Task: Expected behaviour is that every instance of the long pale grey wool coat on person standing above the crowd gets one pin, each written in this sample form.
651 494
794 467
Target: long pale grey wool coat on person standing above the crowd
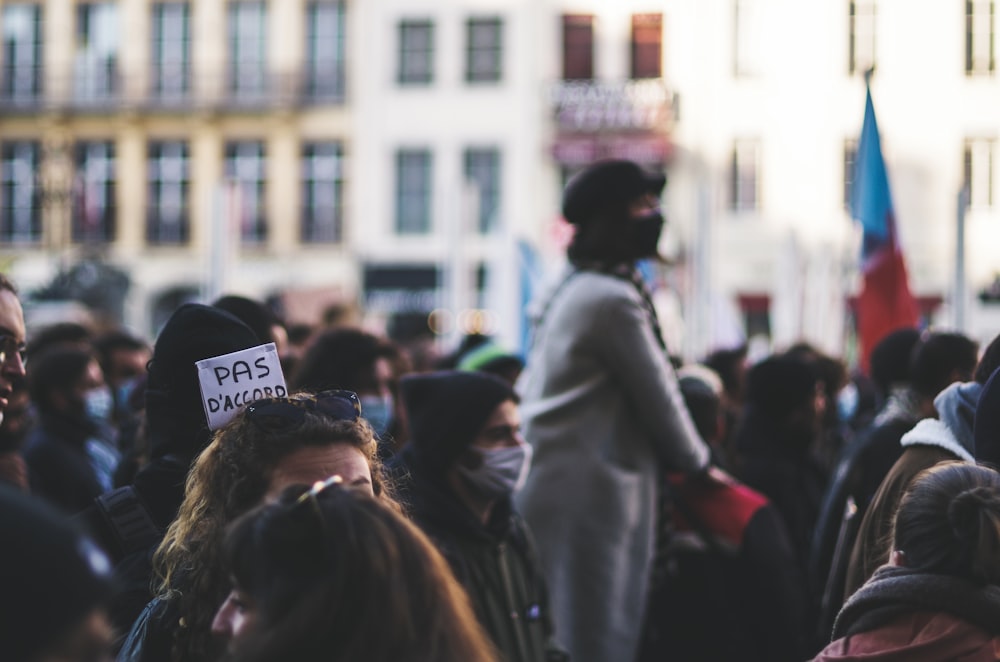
603 412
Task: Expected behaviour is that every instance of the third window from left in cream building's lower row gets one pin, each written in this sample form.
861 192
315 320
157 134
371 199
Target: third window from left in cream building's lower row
168 207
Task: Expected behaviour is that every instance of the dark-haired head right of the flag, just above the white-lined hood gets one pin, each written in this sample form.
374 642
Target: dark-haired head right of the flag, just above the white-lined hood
941 359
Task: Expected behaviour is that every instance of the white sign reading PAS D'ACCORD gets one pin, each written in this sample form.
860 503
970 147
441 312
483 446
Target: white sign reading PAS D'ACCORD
232 381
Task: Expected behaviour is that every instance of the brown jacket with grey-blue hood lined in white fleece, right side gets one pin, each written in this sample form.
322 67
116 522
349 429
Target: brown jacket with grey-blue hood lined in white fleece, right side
931 441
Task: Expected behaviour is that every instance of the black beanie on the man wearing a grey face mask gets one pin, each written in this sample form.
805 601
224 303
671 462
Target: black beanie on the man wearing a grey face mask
446 410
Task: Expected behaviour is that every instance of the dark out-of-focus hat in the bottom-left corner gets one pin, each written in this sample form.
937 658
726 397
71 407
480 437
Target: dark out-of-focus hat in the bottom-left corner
51 576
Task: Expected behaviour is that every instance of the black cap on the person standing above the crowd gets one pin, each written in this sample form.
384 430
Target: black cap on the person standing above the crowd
607 184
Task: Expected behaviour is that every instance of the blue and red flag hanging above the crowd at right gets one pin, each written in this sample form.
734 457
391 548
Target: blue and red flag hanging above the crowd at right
885 303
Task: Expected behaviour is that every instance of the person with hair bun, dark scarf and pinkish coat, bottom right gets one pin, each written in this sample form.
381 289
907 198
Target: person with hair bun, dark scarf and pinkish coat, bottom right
939 596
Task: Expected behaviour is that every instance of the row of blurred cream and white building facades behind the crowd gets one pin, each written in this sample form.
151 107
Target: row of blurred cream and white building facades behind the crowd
406 153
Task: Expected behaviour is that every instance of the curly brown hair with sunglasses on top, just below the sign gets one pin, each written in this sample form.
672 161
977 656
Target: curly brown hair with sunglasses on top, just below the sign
230 477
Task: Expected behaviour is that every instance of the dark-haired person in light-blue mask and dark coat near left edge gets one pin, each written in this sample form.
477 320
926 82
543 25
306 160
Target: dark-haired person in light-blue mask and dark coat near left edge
70 462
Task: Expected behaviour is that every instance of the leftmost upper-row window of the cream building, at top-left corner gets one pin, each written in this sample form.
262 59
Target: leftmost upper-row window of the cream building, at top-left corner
22 52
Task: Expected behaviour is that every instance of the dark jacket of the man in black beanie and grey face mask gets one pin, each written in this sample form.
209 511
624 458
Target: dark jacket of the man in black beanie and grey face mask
495 562
